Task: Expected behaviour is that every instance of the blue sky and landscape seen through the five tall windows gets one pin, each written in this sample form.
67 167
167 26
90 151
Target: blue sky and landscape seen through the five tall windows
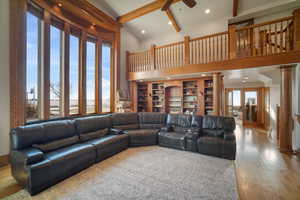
32 71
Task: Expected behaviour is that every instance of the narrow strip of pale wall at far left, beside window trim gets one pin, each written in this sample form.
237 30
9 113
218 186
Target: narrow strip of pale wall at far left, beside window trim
4 78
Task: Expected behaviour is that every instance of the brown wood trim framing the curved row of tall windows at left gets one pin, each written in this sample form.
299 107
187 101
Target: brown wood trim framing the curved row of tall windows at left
60 18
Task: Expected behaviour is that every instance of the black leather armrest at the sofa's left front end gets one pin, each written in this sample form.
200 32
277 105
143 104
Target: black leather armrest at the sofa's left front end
27 156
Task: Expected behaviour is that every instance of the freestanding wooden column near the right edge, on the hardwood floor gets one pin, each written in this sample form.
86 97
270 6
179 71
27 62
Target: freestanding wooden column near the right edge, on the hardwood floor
285 126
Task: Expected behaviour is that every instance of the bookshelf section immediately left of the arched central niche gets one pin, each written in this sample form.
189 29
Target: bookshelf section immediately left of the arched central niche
158 97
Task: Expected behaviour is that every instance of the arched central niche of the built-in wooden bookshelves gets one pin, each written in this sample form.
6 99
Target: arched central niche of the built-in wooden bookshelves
173 100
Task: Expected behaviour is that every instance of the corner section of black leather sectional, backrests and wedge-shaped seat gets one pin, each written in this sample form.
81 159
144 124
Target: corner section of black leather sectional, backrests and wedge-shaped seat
142 128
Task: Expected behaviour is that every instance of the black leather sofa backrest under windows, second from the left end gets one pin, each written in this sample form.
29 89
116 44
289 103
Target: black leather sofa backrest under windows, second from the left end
93 127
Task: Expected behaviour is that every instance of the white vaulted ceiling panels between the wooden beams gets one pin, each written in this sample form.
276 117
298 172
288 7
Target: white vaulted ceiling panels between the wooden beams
155 23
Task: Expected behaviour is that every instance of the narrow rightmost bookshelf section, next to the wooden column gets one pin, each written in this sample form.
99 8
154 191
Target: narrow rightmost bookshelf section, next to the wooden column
208 97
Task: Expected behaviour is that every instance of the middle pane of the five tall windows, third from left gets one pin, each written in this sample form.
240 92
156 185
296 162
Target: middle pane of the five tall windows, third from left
74 75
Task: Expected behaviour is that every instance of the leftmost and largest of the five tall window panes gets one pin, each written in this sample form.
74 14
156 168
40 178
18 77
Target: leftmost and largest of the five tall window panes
32 68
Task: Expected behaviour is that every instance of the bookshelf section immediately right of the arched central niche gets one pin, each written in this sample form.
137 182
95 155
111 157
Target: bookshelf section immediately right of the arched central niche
190 97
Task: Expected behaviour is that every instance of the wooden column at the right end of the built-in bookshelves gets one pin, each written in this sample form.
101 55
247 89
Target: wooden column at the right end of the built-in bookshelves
217 93
